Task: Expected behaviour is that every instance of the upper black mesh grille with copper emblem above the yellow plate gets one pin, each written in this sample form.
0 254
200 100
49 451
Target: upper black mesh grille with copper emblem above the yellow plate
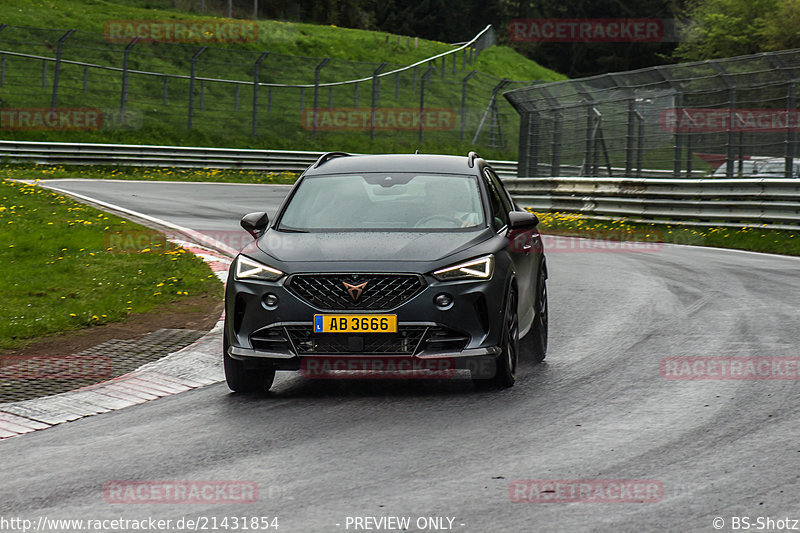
351 292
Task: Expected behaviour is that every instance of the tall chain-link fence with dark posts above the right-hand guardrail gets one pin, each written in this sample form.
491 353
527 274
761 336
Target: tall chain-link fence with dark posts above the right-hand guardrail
731 117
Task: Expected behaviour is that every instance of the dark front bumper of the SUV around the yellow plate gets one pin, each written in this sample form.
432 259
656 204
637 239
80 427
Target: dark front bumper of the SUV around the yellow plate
282 335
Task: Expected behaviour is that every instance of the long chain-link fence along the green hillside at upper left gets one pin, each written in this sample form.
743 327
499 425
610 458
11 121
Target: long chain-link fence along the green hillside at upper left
282 100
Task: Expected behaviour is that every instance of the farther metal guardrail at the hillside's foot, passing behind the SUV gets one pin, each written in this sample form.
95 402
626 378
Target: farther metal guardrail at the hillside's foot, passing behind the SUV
52 153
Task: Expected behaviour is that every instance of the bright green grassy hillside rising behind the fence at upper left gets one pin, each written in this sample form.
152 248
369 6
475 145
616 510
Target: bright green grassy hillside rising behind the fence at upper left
157 106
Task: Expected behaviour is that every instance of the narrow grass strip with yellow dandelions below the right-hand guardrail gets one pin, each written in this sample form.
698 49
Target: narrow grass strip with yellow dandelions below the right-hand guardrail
744 238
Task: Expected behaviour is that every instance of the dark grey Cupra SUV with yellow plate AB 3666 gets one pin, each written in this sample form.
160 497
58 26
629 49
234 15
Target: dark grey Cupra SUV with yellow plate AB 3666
412 263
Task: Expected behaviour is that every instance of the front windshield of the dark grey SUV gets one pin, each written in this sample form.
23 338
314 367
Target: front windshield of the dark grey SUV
384 201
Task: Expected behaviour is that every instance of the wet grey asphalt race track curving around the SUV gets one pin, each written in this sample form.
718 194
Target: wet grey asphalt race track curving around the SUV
321 451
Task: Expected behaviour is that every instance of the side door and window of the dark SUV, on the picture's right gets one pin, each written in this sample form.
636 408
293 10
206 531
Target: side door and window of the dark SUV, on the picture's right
523 246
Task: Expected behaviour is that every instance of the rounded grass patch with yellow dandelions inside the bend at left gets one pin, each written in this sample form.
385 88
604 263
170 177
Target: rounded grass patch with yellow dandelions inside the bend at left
58 272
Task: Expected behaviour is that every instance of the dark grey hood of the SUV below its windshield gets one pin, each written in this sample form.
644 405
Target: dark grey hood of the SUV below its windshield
368 246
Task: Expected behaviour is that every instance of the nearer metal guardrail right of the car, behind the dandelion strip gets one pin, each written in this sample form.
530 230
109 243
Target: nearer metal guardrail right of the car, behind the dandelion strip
763 202
